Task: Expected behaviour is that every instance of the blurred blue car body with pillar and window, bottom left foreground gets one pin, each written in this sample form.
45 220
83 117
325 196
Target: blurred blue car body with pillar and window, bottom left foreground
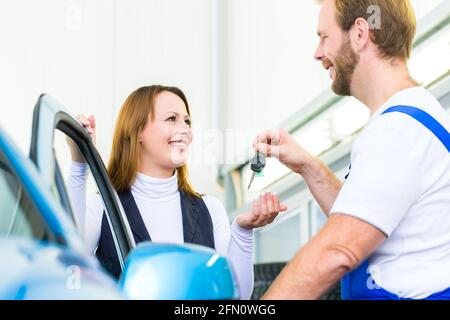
41 254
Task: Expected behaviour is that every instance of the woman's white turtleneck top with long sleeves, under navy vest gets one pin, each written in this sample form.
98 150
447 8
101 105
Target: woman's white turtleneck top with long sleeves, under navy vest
158 201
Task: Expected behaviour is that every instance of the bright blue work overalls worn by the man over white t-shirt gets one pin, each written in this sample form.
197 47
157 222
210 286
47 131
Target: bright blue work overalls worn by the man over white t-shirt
359 284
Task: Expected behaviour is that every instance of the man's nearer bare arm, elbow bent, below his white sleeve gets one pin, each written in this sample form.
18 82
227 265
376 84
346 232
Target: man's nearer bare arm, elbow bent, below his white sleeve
338 248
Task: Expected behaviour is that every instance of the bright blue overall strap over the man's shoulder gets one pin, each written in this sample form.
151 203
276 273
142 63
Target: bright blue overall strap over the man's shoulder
427 120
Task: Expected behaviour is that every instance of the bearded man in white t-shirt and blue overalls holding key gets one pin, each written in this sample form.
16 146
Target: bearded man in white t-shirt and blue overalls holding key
388 228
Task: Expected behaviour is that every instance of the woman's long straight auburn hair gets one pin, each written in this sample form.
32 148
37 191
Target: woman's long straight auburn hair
125 153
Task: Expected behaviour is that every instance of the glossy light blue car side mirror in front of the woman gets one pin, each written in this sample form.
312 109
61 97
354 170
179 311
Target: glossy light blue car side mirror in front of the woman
155 271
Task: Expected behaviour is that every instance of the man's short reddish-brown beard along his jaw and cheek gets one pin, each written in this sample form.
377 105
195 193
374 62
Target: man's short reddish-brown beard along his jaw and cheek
344 67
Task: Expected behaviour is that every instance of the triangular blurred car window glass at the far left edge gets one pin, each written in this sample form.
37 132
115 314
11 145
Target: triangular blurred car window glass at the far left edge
19 216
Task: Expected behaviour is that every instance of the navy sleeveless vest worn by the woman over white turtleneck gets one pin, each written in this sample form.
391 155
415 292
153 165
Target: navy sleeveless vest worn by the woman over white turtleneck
197 228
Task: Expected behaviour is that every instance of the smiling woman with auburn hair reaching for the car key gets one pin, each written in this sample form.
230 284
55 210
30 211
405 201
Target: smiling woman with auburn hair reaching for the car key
147 167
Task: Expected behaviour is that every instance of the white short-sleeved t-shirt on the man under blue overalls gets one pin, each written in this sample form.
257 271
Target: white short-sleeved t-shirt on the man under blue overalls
399 182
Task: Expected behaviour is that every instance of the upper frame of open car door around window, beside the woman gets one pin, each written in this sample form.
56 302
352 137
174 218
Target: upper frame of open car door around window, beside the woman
49 117
